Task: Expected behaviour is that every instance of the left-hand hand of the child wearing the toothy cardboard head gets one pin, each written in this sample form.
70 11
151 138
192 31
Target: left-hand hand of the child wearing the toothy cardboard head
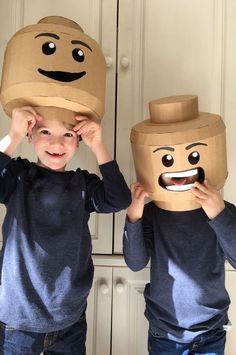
135 210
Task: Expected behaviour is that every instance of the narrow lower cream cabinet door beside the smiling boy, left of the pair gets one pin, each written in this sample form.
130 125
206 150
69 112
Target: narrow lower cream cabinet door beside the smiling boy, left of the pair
99 313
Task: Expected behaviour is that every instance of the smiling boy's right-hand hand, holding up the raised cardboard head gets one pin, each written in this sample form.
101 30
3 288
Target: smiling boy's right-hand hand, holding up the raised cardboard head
90 131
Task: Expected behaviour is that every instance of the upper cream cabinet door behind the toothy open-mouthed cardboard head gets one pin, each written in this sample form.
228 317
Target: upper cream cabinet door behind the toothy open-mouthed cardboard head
166 48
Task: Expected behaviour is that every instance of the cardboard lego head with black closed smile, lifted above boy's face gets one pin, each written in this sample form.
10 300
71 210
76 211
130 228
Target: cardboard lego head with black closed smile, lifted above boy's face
54 63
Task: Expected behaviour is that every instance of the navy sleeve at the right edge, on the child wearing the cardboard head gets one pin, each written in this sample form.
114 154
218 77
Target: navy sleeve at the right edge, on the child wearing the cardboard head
224 226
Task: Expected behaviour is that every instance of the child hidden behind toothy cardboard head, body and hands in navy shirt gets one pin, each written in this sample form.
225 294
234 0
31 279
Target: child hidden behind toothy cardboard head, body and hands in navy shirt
186 300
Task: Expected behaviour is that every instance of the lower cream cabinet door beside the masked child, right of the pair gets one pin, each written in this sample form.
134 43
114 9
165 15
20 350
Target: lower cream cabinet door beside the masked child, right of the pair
129 325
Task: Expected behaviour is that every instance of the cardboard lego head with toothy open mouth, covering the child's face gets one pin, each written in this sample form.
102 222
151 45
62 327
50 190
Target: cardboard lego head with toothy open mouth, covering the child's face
176 147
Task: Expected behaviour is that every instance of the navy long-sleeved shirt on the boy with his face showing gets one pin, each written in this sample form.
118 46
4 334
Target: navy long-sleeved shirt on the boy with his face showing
46 264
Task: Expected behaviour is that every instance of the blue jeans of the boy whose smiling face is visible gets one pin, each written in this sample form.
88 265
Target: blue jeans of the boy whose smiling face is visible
68 341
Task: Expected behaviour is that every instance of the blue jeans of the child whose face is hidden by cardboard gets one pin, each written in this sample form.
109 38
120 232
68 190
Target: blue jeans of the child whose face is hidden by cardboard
210 343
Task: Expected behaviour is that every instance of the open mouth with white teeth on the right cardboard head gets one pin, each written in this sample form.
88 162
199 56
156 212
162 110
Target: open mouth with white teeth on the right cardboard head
182 180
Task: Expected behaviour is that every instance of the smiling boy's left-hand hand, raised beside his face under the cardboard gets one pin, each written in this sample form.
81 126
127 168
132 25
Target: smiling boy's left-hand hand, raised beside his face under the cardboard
23 120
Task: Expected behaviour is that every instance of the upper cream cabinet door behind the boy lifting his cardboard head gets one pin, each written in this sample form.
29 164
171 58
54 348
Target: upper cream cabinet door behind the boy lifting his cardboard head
98 19
